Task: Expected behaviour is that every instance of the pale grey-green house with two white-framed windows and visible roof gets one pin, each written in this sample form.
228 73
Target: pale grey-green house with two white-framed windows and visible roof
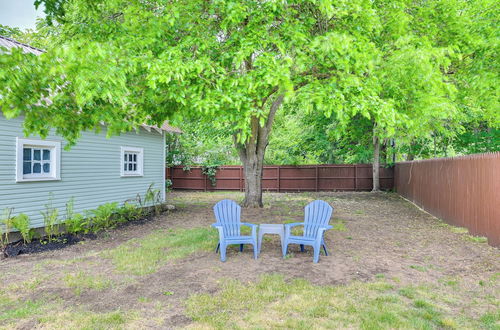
95 171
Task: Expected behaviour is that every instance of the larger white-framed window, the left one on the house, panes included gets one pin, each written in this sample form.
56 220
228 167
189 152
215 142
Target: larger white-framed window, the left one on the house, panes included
37 160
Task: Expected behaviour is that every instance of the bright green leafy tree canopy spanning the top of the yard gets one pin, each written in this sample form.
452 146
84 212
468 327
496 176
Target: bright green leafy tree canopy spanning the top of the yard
411 69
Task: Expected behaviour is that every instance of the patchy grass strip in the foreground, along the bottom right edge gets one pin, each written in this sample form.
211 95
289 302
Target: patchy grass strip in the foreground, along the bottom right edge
273 302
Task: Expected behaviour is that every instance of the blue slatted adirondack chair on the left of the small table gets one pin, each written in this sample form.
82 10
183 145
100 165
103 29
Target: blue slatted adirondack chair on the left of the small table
227 213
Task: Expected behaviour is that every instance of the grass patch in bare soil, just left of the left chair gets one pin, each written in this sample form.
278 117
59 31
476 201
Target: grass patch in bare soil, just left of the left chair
145 255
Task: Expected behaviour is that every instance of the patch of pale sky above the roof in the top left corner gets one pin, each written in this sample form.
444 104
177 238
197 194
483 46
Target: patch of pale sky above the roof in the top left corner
19 13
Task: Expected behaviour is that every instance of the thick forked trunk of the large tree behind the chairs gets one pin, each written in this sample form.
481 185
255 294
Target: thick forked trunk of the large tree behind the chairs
252 154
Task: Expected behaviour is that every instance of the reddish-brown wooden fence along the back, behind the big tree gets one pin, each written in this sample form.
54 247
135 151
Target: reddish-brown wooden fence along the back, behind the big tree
285 178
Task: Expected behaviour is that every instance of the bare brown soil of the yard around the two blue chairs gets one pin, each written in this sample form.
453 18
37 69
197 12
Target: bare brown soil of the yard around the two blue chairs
384 234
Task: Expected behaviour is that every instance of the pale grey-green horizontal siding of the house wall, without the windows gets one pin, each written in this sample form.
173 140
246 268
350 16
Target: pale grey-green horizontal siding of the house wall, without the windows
90 171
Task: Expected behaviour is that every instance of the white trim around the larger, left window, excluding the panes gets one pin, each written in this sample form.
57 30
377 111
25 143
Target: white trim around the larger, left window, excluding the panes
55 168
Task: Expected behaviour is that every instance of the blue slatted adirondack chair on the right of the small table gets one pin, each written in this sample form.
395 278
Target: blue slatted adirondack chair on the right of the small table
317 216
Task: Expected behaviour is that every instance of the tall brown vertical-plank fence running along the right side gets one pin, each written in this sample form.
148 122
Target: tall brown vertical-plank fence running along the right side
463 191
